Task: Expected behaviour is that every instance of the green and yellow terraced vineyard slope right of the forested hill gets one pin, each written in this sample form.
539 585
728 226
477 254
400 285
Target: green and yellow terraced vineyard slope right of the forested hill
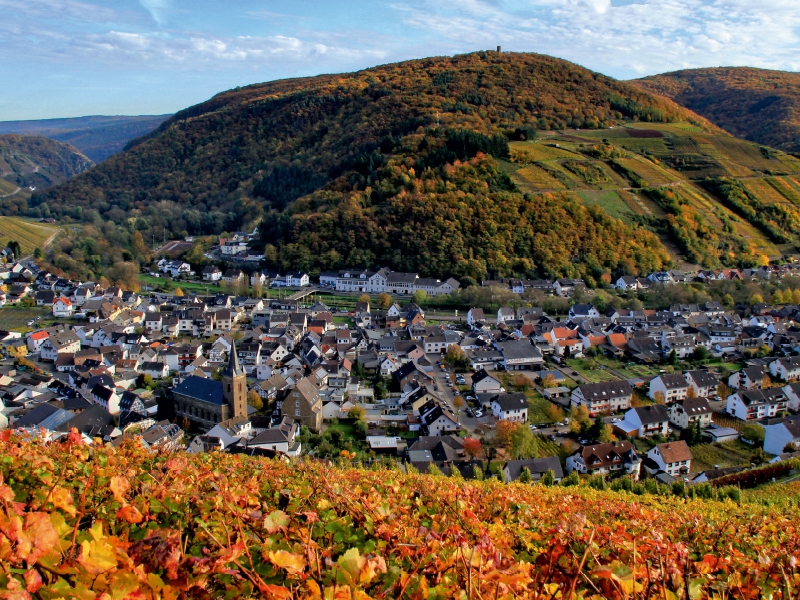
652 175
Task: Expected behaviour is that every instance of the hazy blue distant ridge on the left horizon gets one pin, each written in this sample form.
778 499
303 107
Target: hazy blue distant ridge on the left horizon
96 137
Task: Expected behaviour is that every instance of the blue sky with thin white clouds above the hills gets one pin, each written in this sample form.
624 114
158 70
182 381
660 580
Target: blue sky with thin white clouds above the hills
68 58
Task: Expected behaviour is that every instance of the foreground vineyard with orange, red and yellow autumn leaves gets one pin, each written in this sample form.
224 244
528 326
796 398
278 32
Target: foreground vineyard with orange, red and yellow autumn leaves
103 522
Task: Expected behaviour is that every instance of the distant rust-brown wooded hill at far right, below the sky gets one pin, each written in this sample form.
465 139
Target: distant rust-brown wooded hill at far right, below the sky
755 104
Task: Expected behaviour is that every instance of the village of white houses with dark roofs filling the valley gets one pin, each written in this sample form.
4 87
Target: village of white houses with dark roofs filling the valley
689 394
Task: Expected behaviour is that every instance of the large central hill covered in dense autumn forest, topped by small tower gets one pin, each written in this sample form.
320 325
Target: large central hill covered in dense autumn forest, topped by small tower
375 149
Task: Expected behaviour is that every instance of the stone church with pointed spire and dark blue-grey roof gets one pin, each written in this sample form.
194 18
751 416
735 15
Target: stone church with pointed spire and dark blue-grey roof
206 402
